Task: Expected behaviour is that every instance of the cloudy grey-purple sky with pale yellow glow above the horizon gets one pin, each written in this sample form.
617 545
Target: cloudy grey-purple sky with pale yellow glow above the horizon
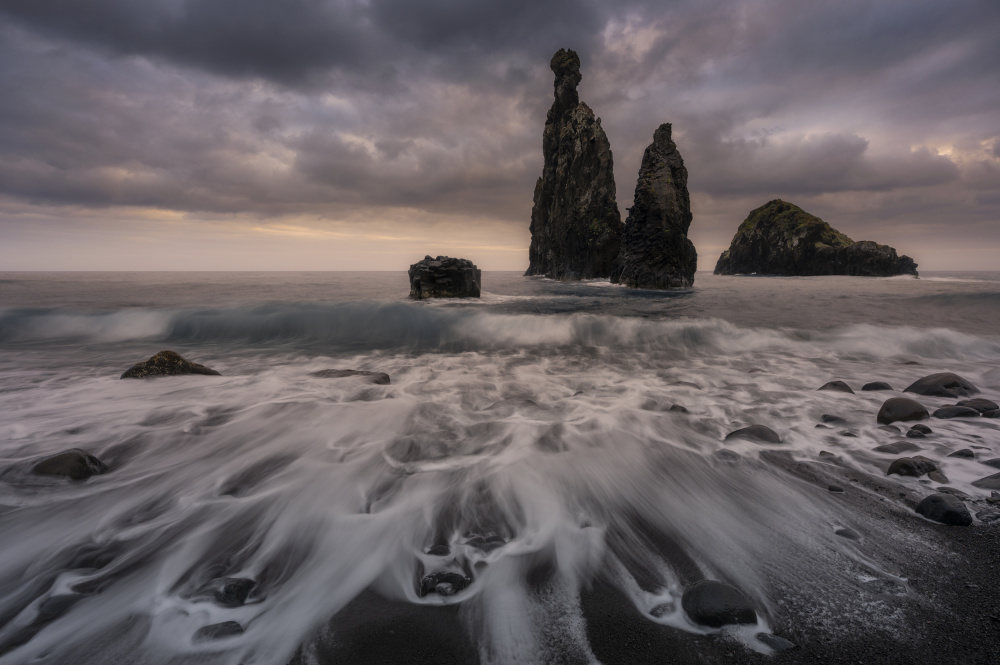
364 134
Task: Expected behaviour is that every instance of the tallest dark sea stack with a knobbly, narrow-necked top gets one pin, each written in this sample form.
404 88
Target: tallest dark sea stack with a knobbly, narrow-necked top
575 224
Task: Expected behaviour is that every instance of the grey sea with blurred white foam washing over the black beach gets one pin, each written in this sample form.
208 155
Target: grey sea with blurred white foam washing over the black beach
528 443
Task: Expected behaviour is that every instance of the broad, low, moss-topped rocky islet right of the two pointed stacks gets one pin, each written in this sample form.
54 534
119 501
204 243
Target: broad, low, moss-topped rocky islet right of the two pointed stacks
779 238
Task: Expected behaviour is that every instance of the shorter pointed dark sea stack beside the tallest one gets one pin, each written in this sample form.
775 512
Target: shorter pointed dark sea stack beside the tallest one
656 252
